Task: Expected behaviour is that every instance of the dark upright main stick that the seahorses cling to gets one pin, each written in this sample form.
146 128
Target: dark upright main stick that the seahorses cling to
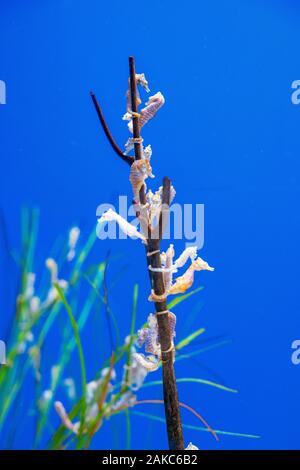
170 393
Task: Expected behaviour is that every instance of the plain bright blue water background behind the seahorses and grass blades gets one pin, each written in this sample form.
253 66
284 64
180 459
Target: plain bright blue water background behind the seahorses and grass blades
228 137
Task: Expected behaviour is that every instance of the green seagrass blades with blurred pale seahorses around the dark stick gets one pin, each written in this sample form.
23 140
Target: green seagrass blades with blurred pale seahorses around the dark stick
48 302
